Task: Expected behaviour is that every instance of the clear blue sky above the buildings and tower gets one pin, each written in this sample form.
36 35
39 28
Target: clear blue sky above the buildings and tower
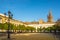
31 10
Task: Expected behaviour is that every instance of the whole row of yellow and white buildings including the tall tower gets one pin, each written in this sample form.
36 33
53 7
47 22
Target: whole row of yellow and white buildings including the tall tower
38 24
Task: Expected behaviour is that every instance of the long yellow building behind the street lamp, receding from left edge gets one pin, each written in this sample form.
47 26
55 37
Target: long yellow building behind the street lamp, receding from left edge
4 19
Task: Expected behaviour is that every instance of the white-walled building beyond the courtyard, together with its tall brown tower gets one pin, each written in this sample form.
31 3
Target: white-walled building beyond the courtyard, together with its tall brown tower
41 22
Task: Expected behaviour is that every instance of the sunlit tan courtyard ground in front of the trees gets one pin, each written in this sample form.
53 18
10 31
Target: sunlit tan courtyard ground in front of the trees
31 36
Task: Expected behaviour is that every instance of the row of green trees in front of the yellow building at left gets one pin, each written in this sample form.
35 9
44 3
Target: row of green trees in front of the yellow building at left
14 27
